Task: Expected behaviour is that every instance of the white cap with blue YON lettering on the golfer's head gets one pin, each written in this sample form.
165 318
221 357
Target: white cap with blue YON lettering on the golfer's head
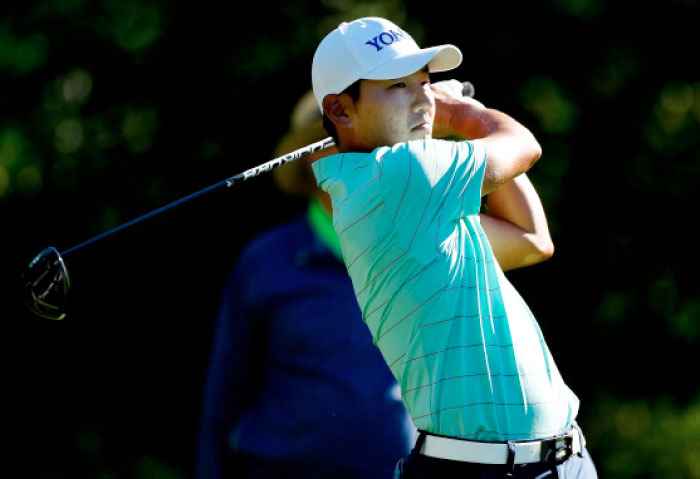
372 48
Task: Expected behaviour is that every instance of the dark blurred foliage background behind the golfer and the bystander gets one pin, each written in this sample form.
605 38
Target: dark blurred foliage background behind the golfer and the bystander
110 109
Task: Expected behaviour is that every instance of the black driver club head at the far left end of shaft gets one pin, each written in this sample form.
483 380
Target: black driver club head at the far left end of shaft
46 285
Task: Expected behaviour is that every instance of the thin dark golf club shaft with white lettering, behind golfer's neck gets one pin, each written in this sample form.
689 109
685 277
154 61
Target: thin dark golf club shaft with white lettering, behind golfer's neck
227 183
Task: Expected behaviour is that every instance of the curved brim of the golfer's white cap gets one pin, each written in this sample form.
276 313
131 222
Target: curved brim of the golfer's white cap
438 59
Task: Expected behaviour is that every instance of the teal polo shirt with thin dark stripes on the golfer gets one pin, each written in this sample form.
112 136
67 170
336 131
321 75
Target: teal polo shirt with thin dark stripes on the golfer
463 345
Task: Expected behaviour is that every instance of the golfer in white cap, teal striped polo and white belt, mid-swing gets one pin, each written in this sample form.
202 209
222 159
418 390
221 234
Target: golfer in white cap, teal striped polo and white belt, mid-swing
475 373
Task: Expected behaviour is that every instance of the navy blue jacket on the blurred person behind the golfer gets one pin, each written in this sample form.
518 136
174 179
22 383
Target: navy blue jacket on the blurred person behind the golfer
294 377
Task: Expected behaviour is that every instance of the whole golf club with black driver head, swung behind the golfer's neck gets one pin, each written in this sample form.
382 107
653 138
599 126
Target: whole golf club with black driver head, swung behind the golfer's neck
46 280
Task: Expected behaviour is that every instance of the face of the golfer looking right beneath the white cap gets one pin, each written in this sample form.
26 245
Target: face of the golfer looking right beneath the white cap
392 111
